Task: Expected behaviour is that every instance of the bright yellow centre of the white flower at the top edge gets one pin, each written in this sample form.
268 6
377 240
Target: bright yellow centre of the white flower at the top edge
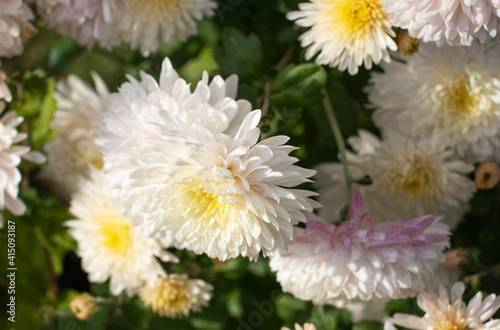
357 17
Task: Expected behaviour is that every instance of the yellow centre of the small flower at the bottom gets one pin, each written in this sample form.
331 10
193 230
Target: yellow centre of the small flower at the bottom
169 298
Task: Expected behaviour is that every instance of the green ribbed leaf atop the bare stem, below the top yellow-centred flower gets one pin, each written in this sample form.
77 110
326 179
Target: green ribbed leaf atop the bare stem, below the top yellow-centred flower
298 86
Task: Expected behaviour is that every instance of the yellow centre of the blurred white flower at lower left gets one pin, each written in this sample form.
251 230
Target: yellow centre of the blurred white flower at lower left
116 233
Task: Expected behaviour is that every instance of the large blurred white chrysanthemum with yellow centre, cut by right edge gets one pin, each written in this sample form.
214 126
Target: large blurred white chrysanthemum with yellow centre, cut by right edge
453 92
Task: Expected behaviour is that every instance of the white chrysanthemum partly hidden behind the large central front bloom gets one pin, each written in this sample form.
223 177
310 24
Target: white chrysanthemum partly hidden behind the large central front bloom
136 111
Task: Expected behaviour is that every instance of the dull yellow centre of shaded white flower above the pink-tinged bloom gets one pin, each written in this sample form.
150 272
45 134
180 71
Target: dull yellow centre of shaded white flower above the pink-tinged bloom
415 176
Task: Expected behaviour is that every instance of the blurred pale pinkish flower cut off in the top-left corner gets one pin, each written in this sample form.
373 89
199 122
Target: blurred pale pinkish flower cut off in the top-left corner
15 17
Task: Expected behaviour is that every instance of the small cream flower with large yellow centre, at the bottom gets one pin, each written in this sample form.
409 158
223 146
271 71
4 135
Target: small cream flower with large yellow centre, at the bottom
175 295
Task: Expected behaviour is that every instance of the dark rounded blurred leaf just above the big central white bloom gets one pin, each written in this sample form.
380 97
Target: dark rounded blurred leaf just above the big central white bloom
240 54
